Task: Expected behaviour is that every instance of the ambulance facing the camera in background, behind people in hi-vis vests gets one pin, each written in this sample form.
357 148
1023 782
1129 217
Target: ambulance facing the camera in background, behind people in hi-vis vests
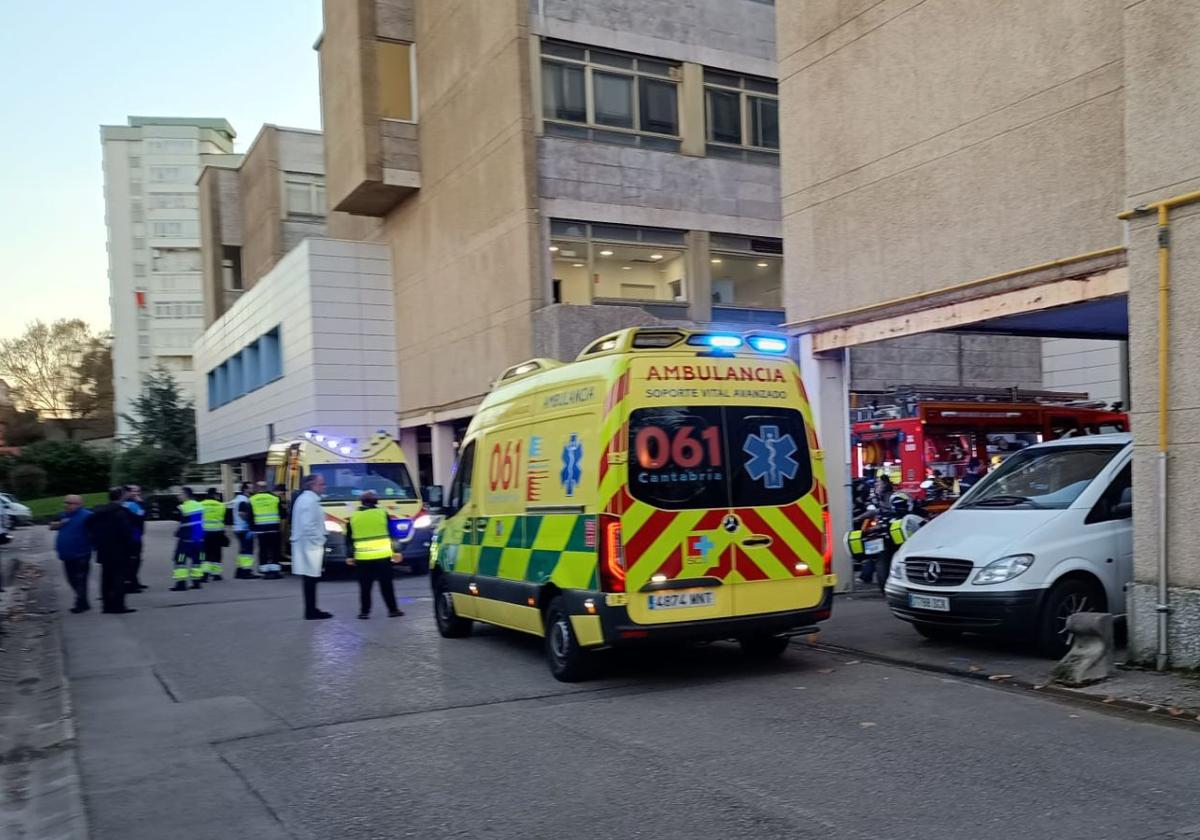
350 469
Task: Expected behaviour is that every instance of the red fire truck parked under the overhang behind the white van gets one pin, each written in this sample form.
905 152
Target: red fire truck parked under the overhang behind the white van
917 439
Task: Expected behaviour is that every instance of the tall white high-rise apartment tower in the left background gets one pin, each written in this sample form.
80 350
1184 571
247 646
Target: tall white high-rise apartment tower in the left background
152 213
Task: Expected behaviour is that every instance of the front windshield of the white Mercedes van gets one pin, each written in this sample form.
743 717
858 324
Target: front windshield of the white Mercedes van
1043 477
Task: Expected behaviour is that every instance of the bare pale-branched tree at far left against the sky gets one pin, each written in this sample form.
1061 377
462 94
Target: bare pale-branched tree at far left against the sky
45 370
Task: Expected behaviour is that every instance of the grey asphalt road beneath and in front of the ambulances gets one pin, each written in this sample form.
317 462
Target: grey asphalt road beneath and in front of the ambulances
220 713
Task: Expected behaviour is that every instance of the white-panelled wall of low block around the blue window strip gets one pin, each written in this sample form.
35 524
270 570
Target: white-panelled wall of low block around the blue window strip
333 303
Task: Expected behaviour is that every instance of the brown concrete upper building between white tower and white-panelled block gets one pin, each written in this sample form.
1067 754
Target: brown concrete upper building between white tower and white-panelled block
256 208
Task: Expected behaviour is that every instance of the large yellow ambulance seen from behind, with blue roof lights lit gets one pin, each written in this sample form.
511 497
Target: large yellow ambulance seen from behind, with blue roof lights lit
667 485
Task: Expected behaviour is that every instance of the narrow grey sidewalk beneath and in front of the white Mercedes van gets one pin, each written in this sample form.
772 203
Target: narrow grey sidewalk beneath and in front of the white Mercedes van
863 626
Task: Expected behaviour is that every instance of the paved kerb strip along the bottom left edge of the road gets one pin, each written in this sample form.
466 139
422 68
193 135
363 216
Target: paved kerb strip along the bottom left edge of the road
43 788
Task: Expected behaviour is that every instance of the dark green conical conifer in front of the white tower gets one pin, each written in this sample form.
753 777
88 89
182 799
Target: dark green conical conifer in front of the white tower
164 425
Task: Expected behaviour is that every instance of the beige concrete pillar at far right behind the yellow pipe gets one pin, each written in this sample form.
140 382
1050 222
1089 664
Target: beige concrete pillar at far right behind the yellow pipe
1162 100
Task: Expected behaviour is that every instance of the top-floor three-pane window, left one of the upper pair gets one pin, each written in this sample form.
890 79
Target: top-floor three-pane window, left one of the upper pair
609 97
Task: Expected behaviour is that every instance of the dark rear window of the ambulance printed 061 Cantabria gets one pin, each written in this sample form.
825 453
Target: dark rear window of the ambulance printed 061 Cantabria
713 457
